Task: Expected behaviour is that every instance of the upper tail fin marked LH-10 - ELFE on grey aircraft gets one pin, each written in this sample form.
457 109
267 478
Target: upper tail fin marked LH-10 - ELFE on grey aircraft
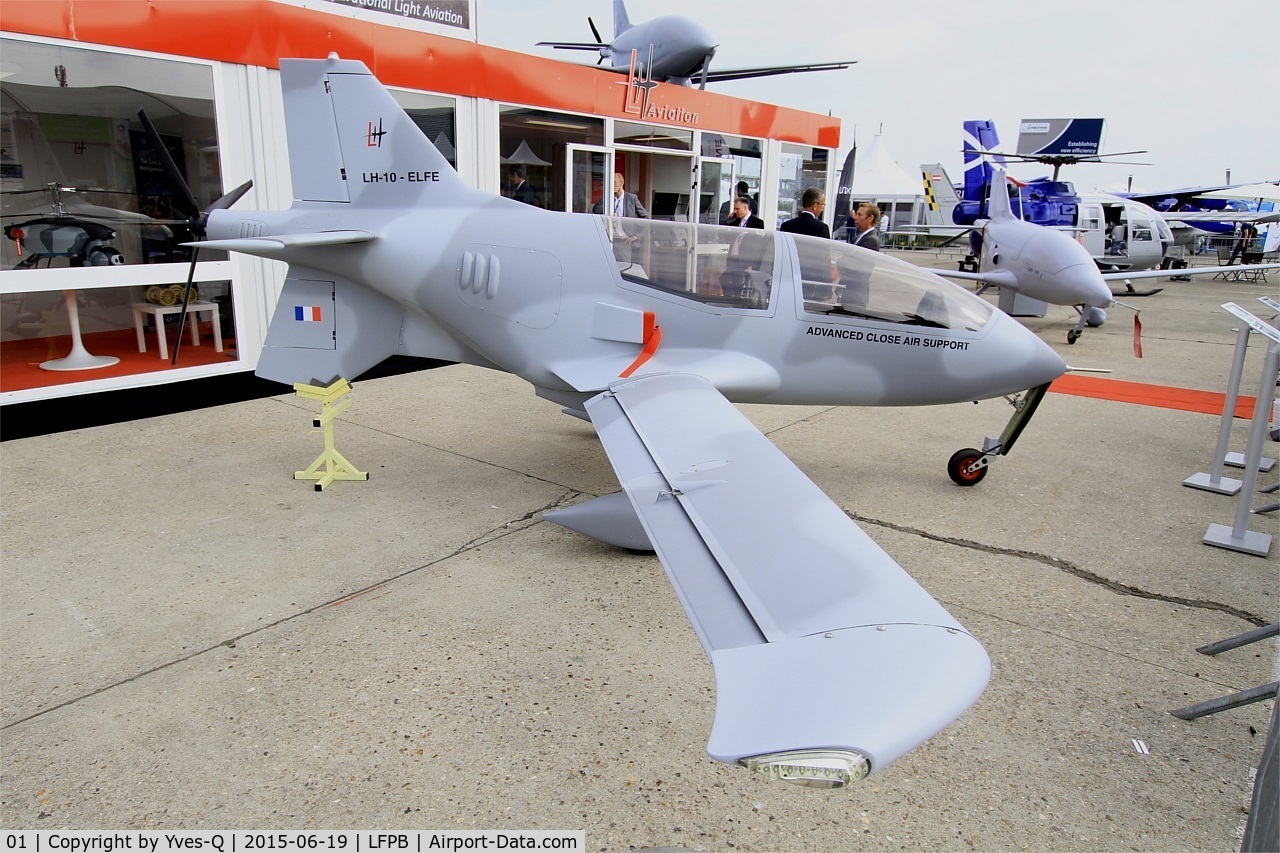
350 142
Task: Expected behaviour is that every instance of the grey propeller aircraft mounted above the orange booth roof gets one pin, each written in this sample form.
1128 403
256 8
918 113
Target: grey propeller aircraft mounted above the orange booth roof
671 49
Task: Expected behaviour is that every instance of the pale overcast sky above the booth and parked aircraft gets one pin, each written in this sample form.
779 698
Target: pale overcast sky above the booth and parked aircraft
1192 84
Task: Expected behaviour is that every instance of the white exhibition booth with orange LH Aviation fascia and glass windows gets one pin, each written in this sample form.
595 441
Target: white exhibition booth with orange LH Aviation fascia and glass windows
93 263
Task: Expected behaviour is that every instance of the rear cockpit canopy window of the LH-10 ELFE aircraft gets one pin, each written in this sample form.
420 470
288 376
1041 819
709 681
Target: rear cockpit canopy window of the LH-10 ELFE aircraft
714 264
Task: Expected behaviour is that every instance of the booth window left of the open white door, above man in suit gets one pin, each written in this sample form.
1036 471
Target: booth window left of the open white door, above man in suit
532 150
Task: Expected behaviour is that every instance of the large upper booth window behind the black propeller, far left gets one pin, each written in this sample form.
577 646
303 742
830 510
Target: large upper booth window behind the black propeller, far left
81 184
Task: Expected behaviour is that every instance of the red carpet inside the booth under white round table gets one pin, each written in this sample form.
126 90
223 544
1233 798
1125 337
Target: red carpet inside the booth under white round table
20 361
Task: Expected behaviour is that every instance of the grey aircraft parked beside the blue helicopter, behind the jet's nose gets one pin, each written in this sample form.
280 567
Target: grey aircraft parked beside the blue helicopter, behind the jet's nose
1050 266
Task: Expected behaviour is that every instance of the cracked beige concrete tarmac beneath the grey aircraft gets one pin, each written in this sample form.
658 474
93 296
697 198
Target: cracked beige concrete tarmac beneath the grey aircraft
194 640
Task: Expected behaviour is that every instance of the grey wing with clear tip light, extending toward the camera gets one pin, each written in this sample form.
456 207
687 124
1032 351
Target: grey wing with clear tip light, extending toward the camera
825 649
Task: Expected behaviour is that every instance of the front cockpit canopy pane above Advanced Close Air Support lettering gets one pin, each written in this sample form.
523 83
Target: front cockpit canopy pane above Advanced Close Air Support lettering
845 281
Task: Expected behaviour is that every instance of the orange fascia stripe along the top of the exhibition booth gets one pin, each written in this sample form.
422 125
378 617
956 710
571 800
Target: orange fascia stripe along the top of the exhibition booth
259 33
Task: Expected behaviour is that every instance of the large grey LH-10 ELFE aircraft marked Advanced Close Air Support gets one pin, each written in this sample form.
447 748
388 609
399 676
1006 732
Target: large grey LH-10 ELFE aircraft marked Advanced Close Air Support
830 660
